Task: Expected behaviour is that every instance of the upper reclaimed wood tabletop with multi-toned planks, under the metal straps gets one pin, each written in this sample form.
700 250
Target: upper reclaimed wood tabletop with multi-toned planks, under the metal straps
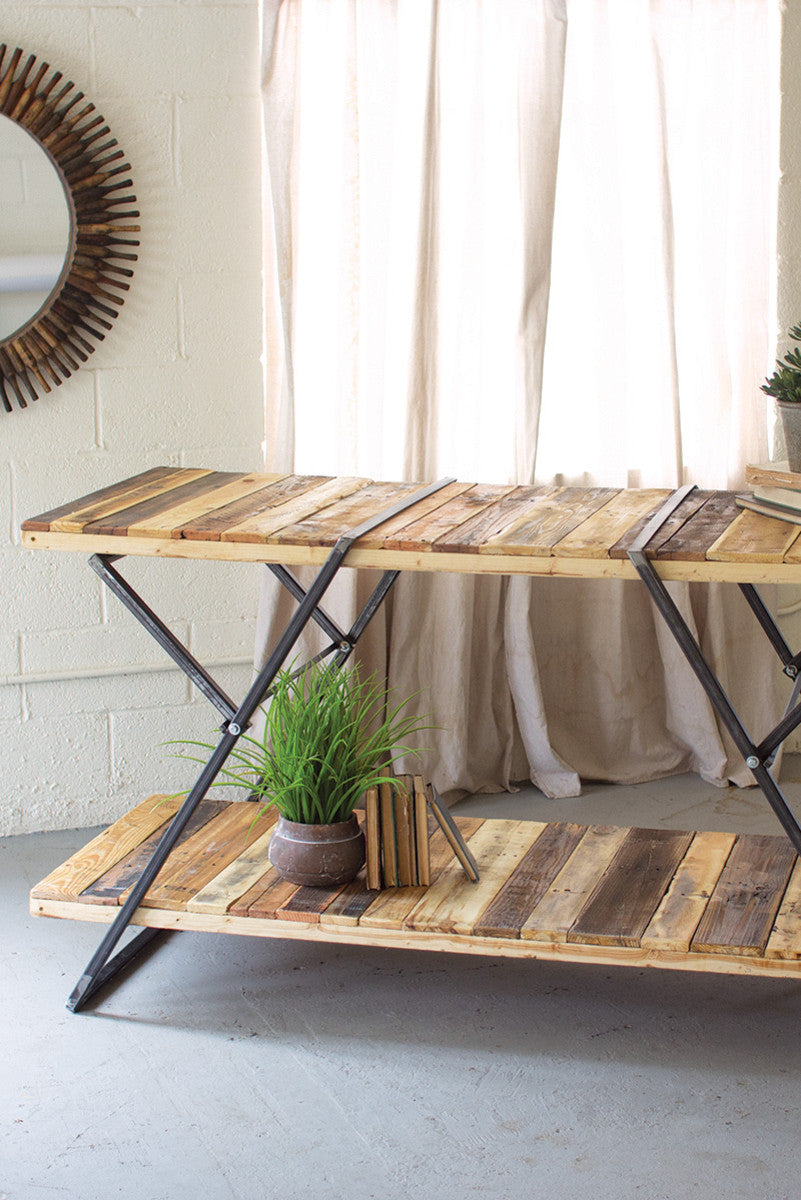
473 529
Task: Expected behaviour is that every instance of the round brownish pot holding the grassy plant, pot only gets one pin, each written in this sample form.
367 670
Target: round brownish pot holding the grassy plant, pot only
317 856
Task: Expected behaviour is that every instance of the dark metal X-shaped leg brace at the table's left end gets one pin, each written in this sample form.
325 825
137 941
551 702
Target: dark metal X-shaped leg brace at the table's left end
101 967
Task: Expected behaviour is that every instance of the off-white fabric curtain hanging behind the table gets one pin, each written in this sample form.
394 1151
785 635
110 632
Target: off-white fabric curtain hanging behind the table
515 241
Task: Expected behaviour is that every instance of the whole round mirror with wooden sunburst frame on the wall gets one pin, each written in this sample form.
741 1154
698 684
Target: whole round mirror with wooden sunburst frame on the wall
67 232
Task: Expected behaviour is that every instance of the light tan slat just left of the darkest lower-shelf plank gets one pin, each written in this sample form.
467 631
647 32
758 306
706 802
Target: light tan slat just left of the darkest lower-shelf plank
564 901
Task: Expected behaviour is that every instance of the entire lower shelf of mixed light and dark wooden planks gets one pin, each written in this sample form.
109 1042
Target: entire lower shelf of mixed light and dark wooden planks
646 898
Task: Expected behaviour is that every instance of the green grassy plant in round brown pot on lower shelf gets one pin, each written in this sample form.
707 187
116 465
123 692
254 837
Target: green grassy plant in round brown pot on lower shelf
328 736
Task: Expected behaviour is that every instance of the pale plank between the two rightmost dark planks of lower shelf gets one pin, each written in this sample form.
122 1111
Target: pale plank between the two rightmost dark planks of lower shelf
683 907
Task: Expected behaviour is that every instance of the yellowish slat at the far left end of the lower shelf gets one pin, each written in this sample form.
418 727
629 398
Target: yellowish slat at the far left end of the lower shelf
109 848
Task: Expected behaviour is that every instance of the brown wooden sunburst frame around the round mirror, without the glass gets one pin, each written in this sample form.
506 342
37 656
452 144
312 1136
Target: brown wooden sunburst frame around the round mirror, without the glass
45 352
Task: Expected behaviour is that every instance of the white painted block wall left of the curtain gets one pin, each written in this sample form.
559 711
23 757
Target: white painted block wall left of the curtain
178 381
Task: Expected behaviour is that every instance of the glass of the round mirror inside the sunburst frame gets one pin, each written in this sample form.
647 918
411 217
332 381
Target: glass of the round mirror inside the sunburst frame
35 227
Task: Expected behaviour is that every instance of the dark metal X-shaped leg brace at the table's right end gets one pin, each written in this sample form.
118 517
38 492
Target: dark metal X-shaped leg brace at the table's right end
760 757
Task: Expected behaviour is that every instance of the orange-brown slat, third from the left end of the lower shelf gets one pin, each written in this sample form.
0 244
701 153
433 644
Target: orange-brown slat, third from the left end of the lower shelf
204 856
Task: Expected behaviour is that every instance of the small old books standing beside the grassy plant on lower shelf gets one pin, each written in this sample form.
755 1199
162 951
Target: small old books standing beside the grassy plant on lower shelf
396 829
